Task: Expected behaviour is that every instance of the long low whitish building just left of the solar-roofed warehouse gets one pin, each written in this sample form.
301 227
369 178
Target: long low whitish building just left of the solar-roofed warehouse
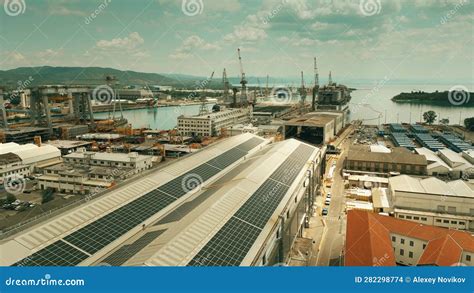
137 163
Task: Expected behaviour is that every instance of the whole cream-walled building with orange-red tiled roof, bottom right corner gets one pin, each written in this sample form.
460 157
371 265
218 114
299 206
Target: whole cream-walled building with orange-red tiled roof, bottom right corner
377 240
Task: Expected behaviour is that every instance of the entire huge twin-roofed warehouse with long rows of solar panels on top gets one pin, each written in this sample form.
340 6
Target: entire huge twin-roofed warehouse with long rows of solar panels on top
242 201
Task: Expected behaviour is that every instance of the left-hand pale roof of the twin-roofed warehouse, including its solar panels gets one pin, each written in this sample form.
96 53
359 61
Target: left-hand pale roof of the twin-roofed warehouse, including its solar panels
78 235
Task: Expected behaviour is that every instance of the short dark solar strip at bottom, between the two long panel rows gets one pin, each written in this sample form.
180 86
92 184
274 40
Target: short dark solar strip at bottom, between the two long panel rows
125 252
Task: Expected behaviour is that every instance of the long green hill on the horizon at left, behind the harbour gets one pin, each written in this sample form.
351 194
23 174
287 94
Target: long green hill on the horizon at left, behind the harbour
47 75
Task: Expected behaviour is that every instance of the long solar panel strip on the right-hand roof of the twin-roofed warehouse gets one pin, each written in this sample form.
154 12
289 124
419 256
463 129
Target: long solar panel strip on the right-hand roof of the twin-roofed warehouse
230 245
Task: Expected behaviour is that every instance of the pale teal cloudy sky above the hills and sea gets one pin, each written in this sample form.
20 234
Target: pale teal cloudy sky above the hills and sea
367 39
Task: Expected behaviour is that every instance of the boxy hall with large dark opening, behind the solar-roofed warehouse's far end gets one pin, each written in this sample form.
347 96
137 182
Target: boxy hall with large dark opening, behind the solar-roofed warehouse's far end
316 127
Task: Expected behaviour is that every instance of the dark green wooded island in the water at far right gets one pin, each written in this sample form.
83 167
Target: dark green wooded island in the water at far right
446 98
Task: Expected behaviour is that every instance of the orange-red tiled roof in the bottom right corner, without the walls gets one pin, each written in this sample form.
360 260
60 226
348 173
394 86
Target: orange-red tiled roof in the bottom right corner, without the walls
368 240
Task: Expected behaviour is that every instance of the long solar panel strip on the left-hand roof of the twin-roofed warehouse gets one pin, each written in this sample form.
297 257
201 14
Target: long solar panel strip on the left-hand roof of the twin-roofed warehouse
98 234
